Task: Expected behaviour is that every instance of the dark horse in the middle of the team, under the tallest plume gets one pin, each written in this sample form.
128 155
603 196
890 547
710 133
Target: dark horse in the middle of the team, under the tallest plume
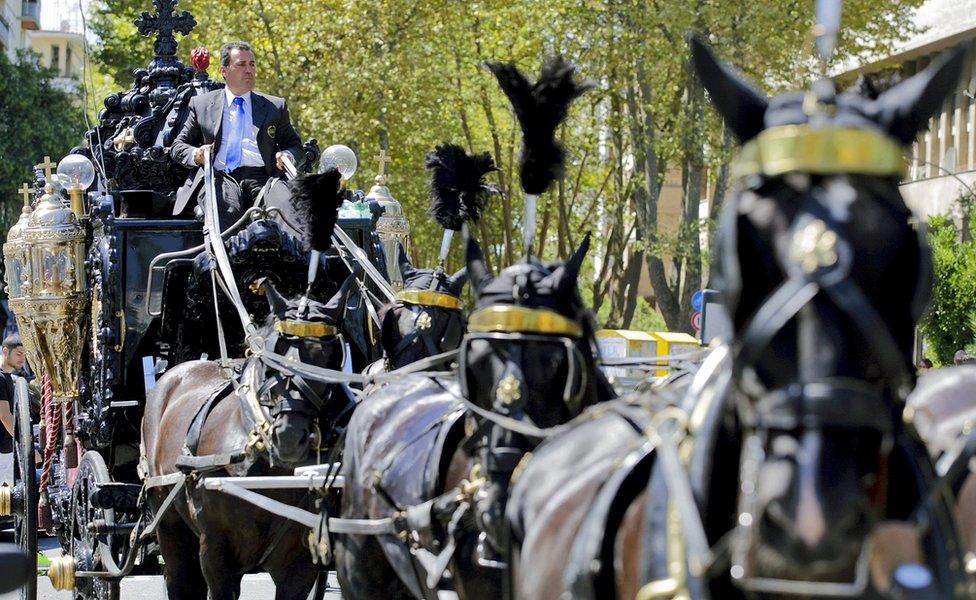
527 364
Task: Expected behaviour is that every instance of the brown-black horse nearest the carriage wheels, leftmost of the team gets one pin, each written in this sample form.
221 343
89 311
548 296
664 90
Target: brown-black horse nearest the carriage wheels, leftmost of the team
208 539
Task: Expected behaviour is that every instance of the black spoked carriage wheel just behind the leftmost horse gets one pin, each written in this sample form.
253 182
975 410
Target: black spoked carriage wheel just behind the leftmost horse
89 549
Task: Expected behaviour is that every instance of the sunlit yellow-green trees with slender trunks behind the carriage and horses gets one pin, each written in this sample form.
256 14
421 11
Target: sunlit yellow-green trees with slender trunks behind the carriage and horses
403 76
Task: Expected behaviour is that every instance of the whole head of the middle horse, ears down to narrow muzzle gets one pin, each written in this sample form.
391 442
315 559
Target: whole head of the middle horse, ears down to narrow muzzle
527 358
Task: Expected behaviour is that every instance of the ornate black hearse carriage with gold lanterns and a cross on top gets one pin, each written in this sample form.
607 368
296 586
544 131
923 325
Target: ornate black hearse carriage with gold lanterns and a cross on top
144 304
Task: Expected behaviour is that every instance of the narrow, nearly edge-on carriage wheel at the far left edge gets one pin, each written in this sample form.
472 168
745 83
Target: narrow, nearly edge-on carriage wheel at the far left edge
25 487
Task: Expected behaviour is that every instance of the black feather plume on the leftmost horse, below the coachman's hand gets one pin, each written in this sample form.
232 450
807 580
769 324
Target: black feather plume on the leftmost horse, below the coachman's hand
317 201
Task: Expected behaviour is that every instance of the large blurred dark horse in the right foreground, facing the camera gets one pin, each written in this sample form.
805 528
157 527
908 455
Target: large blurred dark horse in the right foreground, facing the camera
800 468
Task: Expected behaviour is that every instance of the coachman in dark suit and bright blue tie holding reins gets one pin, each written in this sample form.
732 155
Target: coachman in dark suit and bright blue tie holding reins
247 132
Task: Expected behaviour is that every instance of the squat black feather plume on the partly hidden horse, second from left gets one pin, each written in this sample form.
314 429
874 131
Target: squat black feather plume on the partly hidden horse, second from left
458 192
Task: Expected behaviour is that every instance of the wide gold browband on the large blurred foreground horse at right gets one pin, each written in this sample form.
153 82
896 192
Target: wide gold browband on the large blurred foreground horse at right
821 151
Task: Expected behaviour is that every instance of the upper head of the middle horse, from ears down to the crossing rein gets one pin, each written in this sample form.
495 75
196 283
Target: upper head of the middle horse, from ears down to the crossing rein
528 352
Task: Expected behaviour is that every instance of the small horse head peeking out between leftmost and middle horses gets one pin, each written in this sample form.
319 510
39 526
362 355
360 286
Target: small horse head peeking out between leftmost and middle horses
426 319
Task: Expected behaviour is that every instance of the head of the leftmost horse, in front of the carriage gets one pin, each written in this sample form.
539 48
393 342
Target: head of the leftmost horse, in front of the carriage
305 330
